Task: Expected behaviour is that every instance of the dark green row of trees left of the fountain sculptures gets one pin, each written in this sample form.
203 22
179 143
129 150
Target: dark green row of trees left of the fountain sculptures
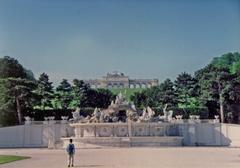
21 93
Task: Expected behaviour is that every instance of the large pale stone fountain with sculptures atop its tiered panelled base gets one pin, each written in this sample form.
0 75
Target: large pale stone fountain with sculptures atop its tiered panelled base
121 125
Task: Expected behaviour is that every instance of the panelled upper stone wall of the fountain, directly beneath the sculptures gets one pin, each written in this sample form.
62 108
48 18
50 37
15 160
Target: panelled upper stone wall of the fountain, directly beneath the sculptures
130 129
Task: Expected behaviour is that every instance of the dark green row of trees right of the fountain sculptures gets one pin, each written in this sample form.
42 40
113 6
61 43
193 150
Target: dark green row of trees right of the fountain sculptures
215 88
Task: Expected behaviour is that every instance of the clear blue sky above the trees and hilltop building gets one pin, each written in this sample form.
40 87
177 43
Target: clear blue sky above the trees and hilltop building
85 39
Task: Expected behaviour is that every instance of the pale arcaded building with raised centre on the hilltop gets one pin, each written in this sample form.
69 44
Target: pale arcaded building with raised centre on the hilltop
119 80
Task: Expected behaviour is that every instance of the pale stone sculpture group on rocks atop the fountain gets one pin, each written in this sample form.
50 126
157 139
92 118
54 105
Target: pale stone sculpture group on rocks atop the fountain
122 111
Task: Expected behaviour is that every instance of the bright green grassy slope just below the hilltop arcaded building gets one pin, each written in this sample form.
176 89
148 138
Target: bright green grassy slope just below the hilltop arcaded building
127 92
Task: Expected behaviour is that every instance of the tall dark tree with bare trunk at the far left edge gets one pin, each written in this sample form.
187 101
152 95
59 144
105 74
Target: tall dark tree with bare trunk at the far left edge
16 85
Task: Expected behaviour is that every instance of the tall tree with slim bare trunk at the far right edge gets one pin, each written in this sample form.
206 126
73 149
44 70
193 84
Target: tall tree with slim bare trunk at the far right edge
218 84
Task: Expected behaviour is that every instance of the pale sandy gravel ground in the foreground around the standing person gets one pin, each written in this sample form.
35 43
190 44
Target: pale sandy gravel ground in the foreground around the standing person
185 157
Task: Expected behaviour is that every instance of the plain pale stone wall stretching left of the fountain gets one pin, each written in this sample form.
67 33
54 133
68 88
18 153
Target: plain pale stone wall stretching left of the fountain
34 135
